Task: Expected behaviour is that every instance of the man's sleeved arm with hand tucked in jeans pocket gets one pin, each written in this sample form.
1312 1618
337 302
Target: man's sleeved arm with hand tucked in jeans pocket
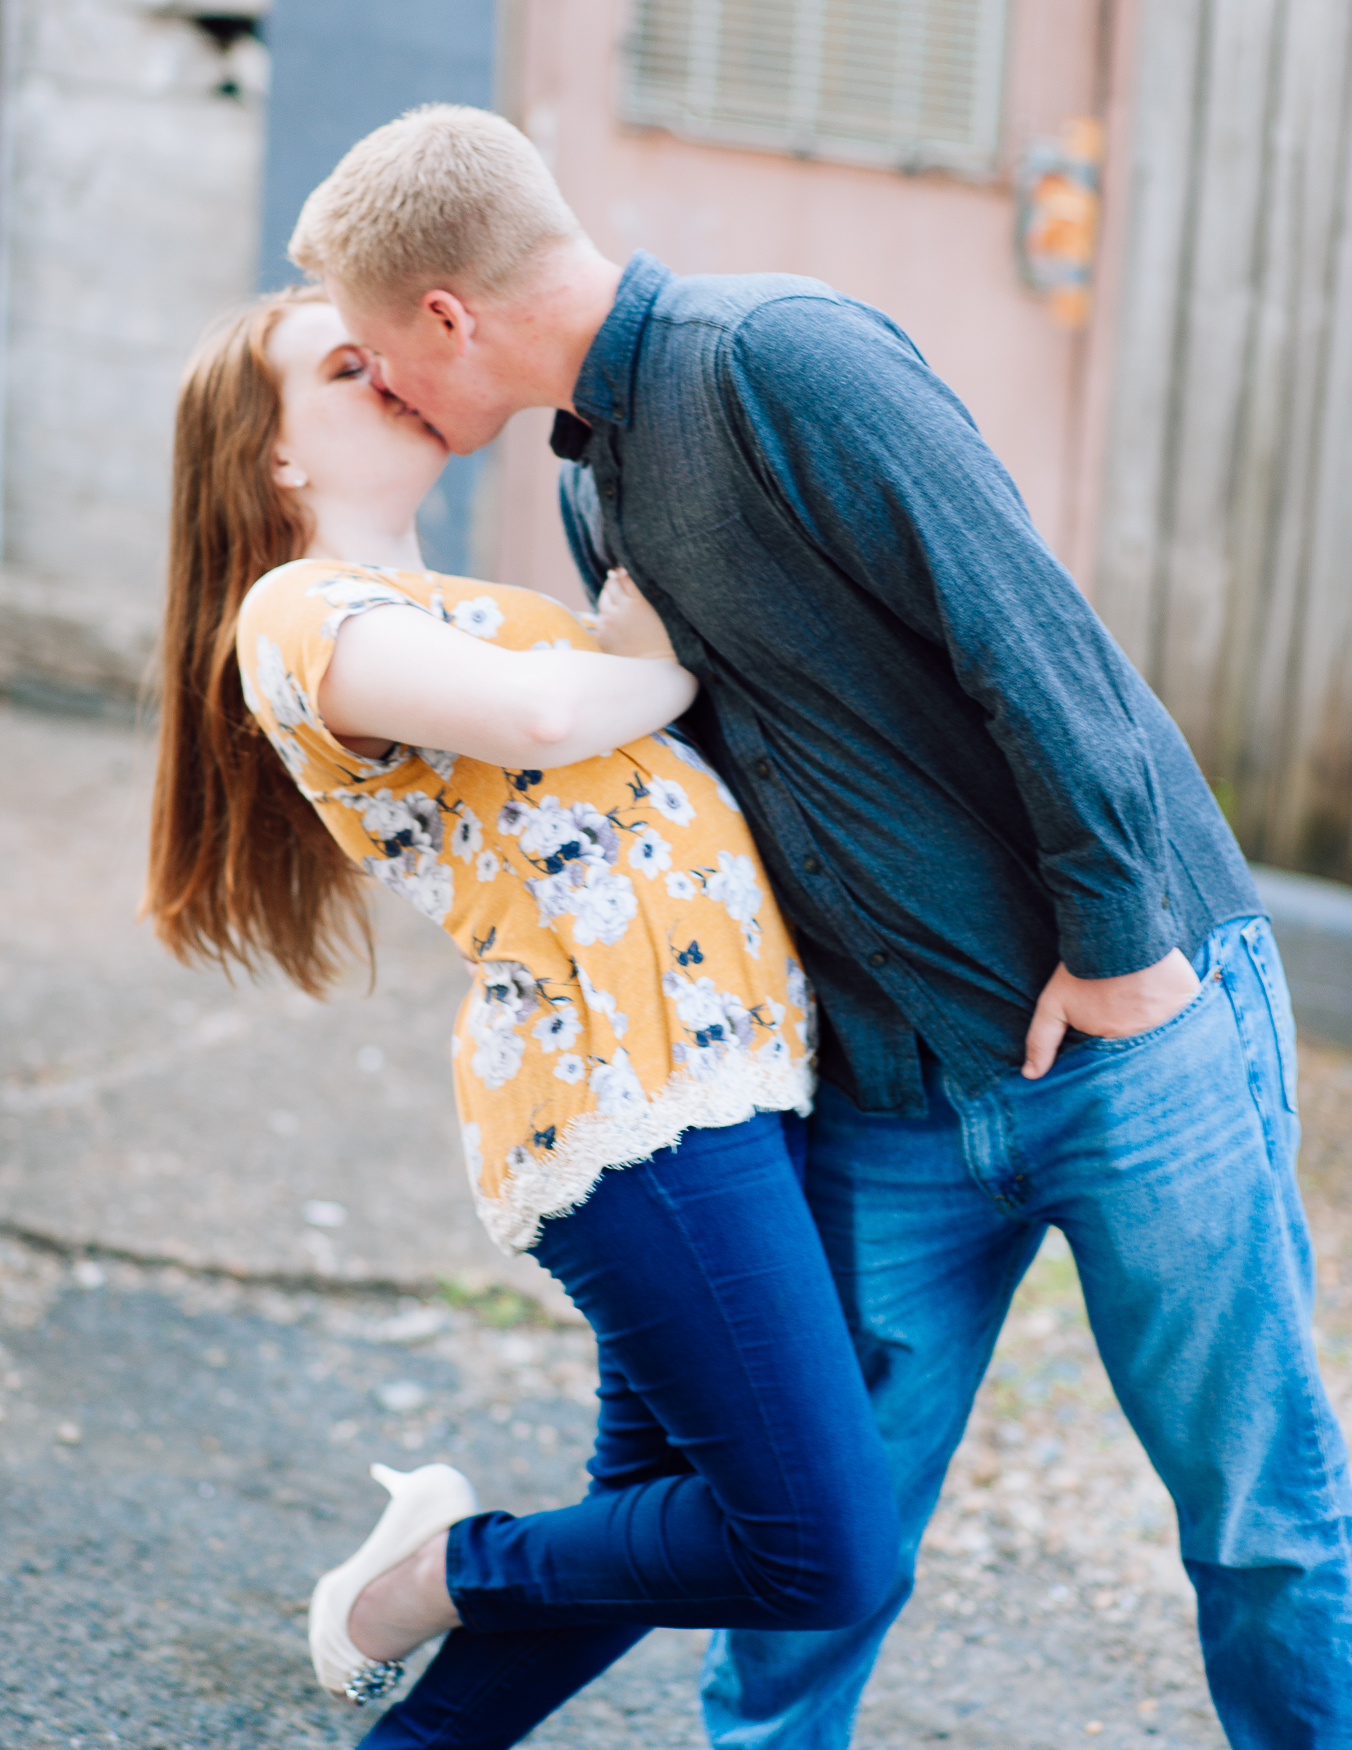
884 470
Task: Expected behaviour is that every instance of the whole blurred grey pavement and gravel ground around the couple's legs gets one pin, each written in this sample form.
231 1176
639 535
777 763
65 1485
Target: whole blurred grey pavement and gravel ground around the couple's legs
239 1264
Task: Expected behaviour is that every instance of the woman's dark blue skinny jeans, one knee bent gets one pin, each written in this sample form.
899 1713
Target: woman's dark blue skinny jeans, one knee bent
739 1478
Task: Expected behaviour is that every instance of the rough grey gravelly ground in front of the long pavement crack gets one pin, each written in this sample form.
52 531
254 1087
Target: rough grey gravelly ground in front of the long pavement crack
183 1455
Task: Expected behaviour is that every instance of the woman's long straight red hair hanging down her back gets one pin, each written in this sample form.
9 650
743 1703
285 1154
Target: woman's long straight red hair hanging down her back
240 864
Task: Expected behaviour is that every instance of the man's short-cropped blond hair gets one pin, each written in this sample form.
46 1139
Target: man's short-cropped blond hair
447 197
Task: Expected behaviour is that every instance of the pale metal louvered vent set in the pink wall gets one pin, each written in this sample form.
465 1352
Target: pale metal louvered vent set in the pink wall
912 85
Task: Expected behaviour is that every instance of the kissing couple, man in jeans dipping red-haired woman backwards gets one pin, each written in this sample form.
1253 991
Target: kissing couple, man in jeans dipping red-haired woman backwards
846 913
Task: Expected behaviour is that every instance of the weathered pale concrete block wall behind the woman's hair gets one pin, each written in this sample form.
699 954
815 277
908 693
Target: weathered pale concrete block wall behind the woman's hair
130 220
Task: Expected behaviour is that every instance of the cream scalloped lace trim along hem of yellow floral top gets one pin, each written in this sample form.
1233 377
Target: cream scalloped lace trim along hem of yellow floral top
597 1142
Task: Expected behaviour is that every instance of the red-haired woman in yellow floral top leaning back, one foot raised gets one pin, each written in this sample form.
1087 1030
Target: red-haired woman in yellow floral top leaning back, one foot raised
638 1005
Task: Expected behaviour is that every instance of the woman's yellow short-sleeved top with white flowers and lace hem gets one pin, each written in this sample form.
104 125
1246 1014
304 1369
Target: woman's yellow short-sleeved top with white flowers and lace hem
634 976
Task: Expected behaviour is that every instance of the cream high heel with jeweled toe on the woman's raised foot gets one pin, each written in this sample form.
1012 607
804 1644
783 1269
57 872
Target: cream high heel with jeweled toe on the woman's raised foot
422 1502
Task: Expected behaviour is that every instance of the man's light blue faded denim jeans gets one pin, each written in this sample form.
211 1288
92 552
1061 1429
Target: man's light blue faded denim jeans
1169 1165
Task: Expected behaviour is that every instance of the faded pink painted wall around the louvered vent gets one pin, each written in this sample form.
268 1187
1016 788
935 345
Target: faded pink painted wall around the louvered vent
933 253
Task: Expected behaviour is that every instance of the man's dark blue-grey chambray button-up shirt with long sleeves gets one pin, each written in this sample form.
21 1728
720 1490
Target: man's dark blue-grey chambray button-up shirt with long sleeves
954 774
